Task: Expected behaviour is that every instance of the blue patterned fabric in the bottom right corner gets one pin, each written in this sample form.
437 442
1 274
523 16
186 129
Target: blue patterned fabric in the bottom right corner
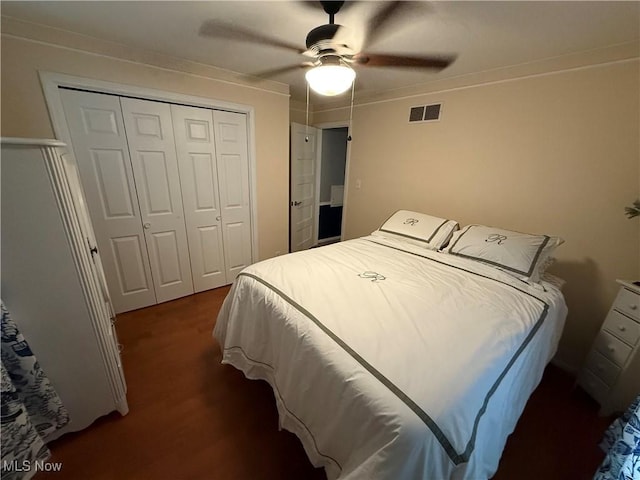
622 444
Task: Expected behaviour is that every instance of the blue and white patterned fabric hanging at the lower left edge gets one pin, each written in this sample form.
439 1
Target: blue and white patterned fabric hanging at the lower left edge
30 409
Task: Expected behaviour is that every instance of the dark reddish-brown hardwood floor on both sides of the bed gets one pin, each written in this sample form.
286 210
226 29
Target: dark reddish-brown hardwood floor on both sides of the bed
193 418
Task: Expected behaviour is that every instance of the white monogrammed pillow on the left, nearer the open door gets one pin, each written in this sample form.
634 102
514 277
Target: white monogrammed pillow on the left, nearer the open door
418 229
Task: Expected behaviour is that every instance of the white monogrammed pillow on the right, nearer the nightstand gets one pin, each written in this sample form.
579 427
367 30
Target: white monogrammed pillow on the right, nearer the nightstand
523 255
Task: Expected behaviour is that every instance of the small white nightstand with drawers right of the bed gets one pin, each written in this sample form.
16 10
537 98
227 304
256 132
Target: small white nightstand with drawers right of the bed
611 373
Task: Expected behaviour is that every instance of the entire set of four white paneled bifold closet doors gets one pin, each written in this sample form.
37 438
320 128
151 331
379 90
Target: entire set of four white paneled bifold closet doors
168 188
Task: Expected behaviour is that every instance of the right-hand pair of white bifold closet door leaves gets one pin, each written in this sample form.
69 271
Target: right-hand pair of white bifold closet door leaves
214 173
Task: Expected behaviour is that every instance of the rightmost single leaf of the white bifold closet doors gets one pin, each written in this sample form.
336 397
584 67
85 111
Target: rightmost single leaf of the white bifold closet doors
233 169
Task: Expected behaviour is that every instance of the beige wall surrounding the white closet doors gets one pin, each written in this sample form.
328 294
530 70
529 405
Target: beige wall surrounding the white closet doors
24 112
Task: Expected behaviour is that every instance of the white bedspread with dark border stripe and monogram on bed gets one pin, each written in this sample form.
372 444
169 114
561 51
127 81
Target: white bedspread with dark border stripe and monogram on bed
390 361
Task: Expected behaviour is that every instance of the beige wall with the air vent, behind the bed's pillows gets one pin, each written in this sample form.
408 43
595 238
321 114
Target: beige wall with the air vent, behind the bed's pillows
556 154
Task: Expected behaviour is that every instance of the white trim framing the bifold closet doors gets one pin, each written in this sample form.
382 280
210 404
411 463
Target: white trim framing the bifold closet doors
51 82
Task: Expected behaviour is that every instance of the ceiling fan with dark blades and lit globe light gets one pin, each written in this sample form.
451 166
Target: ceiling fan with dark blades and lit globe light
331 58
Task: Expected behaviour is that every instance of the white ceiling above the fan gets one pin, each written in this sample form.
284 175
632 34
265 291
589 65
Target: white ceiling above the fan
485 35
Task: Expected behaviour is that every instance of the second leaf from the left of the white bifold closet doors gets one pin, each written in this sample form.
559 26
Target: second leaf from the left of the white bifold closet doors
155 168
